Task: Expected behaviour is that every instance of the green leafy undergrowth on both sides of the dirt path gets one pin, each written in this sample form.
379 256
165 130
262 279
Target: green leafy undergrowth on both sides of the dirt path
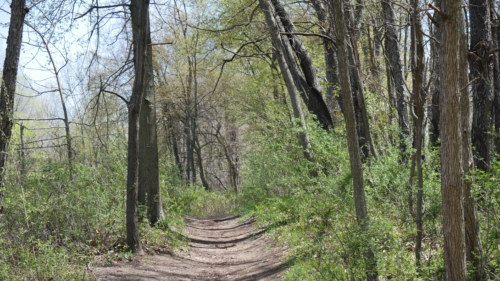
53 228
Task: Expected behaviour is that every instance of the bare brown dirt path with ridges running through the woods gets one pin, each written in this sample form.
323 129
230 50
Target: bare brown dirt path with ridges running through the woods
221 248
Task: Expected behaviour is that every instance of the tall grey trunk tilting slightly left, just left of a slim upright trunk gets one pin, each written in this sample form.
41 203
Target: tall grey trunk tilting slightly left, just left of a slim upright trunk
394 56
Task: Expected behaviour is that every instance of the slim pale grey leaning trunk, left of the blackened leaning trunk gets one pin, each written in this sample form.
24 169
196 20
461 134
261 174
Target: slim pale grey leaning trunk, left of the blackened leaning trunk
284 55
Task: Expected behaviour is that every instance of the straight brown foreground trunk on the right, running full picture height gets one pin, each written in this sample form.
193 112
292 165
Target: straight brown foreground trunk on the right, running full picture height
452 175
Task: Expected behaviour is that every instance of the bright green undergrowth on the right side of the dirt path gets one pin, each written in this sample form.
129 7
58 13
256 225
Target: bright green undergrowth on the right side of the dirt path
315 217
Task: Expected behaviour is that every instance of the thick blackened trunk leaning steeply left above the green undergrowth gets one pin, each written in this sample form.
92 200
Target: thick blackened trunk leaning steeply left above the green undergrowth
311 95
